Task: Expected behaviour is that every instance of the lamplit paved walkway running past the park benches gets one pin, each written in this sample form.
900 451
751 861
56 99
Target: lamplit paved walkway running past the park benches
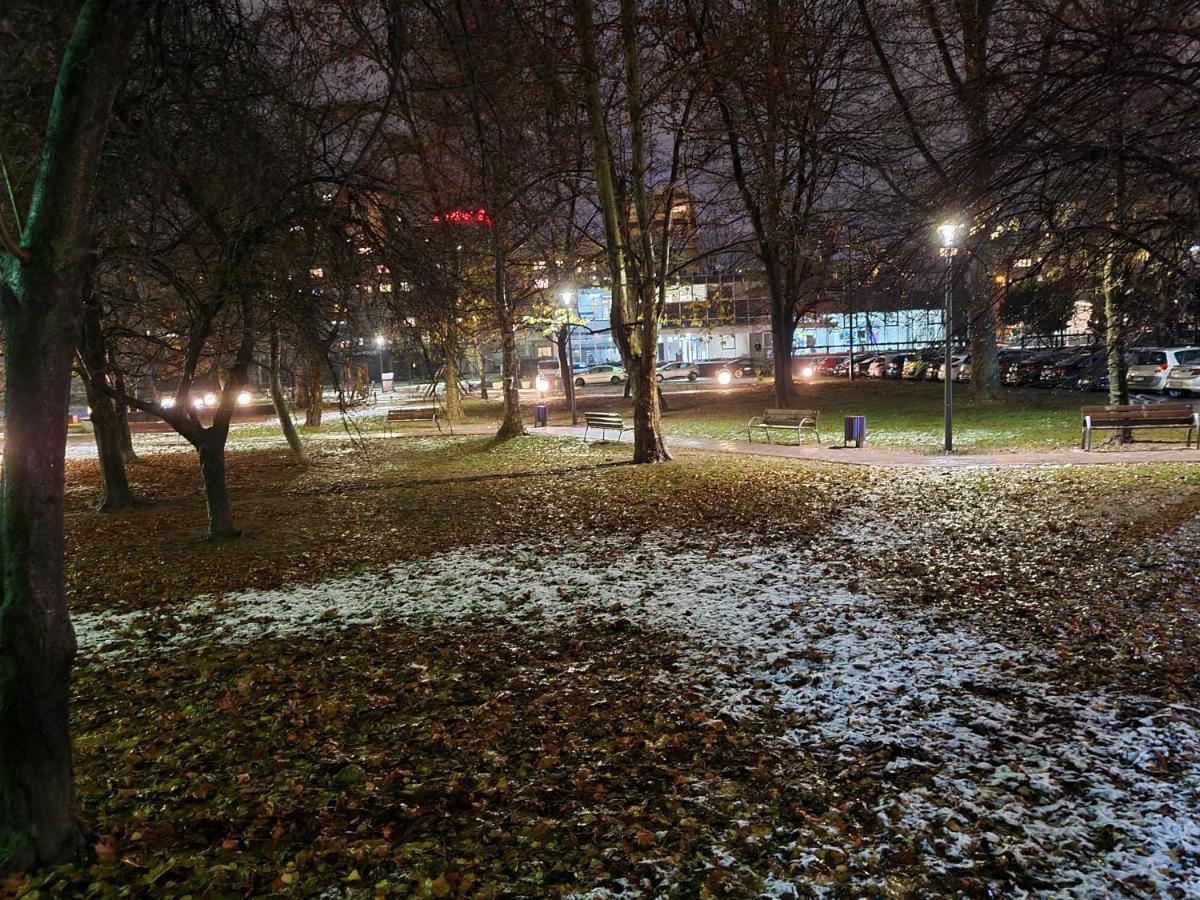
872 457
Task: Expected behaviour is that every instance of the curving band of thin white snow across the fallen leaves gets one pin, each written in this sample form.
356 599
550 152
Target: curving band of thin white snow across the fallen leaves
989 763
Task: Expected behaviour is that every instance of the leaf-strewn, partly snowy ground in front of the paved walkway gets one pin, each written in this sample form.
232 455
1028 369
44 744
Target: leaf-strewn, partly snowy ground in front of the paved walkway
448 741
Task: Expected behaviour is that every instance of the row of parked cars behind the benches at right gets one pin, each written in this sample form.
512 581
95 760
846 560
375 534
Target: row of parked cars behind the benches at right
1171 370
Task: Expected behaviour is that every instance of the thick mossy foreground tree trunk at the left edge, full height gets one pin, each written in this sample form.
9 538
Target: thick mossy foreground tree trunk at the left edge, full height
41 279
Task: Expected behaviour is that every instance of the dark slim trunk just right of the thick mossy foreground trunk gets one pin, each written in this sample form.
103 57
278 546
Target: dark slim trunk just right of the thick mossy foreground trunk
106 419
